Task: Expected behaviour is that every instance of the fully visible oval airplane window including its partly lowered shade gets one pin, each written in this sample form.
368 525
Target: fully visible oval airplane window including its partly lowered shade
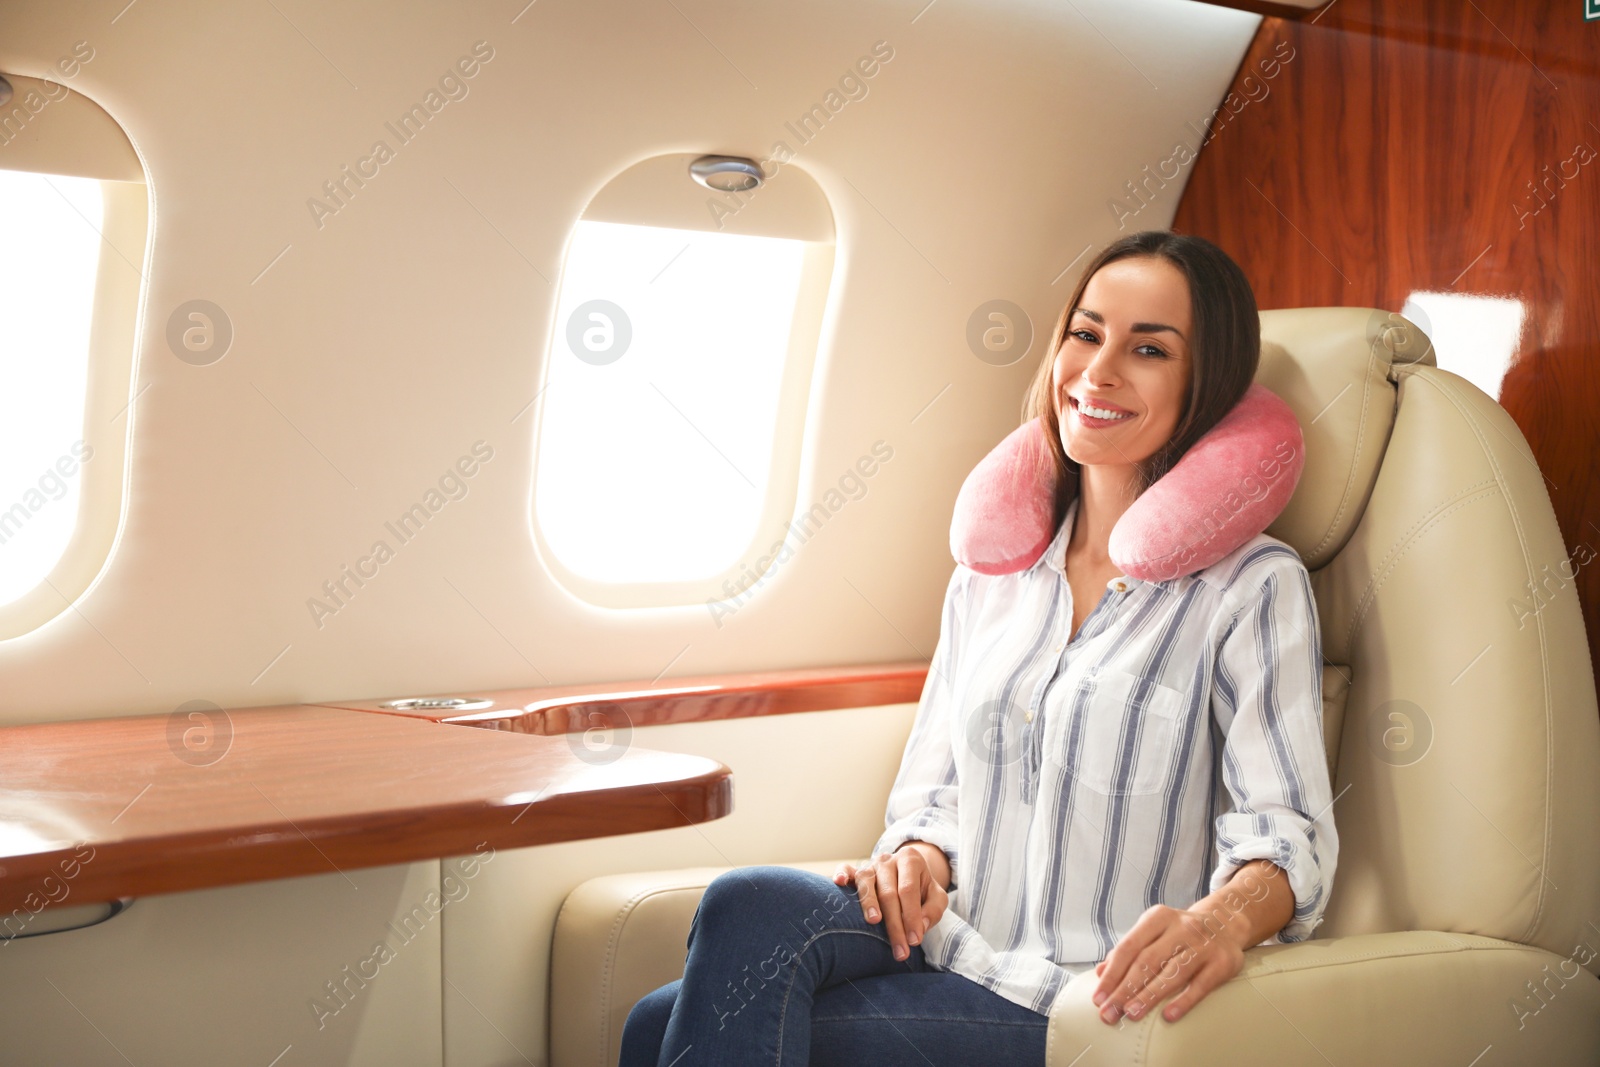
678 372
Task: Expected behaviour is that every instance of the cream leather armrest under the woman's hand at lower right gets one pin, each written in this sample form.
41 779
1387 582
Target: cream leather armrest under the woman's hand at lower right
1417 997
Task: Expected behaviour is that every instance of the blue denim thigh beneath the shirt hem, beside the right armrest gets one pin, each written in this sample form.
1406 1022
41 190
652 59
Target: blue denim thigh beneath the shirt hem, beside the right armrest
930 1020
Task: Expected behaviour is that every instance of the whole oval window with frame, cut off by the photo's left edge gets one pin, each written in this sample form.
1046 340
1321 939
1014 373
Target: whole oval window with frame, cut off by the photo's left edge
74 225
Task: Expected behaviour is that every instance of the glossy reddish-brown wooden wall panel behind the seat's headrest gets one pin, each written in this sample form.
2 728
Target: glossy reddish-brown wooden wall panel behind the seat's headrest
1434 146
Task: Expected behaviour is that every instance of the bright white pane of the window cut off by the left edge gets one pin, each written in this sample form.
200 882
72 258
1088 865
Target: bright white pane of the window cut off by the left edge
47 297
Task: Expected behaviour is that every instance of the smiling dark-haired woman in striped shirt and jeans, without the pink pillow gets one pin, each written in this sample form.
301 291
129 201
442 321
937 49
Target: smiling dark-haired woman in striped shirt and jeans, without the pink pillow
1103 773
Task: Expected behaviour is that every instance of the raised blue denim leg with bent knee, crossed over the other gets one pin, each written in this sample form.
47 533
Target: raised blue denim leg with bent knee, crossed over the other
764 941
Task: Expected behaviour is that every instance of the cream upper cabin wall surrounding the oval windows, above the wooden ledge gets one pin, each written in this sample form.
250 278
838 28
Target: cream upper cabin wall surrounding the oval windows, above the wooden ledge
375 348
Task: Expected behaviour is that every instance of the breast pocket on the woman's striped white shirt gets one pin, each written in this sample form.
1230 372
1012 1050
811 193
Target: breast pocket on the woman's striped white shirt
1118 733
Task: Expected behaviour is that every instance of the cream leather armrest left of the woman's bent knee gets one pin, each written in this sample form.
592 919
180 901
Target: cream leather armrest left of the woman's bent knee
618 938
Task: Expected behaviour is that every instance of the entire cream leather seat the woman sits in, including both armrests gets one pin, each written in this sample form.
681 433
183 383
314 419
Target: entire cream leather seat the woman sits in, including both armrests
1465 922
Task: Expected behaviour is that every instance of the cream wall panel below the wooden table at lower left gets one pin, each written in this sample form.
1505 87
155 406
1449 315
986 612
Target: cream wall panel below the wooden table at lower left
231 977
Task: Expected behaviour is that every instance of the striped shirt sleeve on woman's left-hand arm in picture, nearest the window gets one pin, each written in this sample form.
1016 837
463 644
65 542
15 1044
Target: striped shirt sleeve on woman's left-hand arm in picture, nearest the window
922 802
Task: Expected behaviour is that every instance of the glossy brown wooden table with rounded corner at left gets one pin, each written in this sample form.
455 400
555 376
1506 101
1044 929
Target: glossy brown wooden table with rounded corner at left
122 807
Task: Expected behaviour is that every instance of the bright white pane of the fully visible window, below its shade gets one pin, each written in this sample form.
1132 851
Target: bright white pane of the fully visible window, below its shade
658 415
